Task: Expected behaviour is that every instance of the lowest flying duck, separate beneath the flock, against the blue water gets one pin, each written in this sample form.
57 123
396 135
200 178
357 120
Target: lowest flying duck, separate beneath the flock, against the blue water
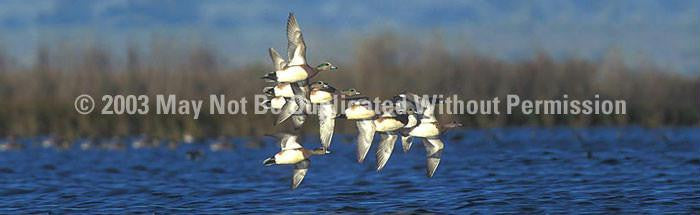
292 153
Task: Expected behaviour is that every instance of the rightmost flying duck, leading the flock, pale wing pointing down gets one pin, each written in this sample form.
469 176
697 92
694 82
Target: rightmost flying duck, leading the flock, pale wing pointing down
429 130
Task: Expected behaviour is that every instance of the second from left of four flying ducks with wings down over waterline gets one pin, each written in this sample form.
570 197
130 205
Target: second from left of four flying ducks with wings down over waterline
360 109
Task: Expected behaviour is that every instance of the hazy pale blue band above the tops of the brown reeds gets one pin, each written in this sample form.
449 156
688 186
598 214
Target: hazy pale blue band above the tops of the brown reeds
659 32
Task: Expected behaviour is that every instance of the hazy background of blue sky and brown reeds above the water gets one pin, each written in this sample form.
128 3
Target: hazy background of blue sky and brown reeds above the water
51 51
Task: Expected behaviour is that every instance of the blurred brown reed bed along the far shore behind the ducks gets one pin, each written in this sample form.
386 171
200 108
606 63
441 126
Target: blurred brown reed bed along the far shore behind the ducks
38 99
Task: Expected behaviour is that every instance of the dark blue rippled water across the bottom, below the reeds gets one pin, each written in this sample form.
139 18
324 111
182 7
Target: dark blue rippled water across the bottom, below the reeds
524 170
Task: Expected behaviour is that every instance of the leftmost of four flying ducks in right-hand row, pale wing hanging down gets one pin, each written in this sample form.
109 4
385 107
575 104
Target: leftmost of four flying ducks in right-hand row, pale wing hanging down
322 95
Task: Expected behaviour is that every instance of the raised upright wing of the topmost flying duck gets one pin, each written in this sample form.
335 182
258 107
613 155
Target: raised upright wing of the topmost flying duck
296 48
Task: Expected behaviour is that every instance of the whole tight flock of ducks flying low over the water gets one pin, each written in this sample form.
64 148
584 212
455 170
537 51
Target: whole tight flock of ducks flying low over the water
410 116
